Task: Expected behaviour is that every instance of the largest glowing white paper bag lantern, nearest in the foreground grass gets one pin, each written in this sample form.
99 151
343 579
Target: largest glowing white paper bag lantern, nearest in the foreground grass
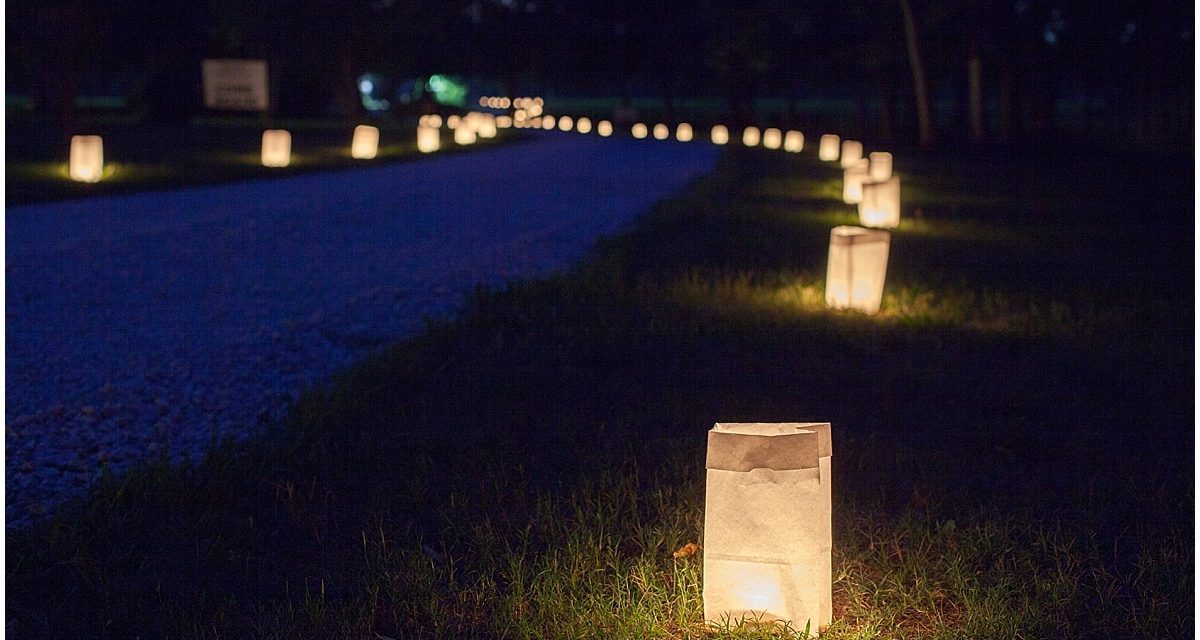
769 533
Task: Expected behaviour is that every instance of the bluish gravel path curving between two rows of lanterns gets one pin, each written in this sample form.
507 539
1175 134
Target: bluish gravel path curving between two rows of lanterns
163 320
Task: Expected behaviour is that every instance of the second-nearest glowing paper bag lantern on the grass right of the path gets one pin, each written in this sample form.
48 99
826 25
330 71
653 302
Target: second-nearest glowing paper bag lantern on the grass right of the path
859 266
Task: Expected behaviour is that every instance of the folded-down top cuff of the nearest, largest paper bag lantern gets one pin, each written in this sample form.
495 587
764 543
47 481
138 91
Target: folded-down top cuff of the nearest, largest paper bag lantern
775 446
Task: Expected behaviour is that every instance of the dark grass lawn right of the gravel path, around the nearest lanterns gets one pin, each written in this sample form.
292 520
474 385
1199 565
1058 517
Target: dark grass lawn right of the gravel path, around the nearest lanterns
1013 435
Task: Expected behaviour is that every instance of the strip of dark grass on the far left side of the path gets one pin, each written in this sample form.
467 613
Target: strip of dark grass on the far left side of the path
207 152
